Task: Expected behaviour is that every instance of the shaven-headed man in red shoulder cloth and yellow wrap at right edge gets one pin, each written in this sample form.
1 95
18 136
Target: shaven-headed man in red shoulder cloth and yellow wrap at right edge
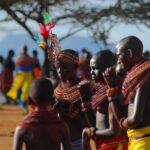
136 92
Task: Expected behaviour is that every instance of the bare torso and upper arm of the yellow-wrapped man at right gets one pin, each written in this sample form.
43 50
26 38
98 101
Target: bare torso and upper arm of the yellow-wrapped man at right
139 109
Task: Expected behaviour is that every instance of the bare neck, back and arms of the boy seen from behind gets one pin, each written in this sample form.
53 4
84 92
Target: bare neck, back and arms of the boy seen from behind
39 138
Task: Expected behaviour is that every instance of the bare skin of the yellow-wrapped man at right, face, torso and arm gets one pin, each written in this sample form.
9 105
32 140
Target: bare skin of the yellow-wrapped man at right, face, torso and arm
139 109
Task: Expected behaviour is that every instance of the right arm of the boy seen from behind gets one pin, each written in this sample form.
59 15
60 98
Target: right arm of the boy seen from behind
66 141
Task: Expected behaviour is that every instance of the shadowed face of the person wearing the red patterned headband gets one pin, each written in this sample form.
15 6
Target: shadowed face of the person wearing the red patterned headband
65 71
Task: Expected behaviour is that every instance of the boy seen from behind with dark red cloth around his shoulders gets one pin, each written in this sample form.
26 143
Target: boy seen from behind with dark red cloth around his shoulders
42 129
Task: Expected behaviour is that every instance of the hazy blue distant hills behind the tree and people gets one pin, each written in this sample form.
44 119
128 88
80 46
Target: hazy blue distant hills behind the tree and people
14 41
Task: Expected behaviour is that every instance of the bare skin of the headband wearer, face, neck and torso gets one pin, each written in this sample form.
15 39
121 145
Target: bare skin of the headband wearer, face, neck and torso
68 78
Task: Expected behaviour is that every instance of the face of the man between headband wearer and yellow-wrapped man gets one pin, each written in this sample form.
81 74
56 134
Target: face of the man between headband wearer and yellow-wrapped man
96 70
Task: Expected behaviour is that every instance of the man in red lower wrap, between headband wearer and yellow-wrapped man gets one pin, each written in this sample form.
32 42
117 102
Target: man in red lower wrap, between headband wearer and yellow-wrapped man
106 134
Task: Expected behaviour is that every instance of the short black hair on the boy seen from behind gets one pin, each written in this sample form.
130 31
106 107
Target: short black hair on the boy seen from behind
41 91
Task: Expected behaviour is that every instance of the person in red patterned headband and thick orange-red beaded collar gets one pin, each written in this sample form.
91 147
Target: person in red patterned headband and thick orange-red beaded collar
67 95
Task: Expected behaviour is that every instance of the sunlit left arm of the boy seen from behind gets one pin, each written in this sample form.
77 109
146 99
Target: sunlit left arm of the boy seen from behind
18 140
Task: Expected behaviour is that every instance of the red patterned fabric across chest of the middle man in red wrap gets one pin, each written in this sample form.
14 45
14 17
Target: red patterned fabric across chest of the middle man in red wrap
98 94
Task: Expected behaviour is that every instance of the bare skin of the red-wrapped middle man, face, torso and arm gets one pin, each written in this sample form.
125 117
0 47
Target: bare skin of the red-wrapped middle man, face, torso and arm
106 122
